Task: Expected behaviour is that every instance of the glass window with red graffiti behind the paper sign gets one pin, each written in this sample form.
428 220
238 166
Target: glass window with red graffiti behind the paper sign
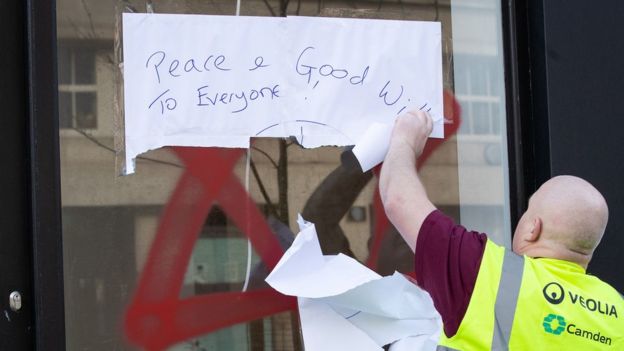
200 227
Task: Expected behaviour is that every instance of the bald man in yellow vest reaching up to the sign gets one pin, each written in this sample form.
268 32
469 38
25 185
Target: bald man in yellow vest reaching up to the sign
536 297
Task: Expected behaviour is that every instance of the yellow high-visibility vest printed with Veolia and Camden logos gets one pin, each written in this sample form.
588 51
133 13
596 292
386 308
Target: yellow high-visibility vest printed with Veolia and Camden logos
523 303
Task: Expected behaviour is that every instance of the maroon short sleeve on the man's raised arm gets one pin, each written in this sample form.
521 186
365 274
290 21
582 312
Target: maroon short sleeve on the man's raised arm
447 263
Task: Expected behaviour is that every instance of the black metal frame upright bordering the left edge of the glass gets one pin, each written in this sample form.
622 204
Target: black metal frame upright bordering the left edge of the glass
45 184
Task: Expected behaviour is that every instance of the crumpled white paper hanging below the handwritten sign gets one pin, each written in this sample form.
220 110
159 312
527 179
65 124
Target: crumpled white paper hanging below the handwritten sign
343 305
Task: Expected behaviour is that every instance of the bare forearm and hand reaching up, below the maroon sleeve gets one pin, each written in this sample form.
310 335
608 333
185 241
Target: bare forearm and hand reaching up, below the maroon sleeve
403 195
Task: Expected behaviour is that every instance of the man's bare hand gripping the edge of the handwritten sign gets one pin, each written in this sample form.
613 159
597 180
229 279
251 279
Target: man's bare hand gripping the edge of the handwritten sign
412 128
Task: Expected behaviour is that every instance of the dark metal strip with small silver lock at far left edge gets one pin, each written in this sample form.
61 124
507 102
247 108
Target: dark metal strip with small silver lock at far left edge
15 267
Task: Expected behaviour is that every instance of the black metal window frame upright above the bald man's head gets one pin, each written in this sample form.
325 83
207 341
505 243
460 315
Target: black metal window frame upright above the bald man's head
525 87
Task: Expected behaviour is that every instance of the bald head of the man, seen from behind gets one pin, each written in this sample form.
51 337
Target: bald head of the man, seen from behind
566 219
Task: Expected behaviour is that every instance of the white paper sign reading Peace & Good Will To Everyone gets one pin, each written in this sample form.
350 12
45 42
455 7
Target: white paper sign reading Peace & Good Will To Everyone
197 80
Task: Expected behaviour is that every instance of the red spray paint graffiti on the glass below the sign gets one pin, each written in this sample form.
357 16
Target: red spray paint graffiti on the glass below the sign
156 317
